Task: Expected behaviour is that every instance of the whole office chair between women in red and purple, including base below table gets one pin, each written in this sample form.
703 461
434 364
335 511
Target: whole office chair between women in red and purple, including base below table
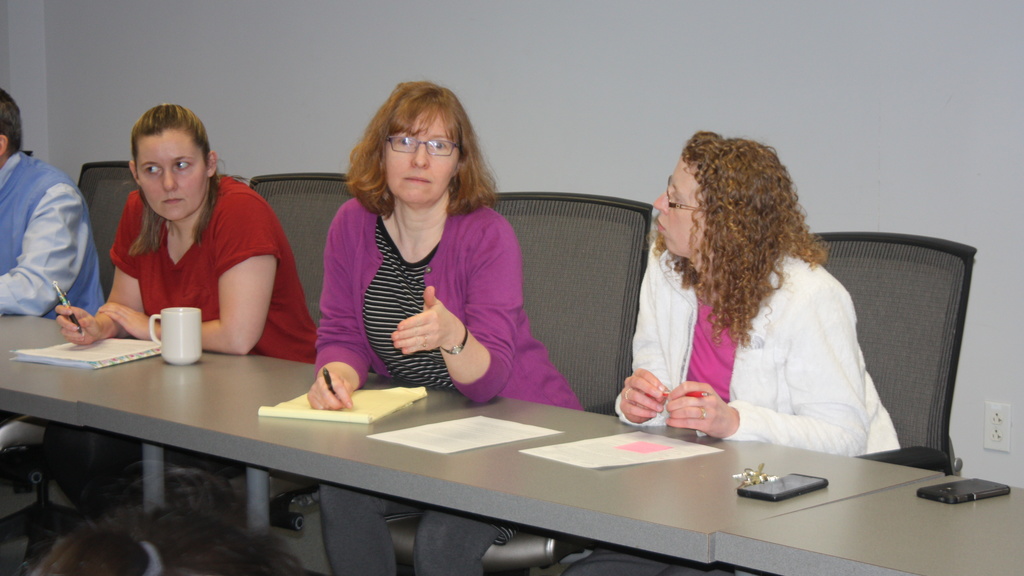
306 205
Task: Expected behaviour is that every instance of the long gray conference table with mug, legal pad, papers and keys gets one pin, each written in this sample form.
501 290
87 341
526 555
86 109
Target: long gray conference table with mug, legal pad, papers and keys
679 509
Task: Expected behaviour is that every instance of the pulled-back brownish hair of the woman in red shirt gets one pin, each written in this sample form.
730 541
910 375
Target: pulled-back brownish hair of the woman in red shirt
156 121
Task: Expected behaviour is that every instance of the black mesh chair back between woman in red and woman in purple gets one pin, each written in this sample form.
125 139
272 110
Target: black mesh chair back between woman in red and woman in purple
306 204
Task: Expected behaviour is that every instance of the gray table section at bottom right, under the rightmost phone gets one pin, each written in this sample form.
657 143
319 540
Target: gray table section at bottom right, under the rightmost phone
885 533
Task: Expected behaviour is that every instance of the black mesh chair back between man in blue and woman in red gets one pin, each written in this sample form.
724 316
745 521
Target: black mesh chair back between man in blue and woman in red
106 187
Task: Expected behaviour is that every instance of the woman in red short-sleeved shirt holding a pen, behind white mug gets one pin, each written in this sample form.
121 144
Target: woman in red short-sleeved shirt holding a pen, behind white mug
191 237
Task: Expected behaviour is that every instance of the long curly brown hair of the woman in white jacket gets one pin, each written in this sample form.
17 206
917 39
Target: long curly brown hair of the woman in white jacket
750 220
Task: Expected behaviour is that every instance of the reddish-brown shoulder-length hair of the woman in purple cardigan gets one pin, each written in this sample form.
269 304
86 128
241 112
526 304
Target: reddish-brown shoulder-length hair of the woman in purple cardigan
411 107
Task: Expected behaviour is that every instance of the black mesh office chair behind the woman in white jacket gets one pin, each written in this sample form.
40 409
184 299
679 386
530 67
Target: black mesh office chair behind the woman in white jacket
911 294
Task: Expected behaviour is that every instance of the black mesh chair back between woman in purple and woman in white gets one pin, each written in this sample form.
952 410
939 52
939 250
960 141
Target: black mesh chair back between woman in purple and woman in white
584 259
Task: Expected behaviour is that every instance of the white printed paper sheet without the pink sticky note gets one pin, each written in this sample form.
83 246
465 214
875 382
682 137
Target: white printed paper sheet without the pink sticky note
466 434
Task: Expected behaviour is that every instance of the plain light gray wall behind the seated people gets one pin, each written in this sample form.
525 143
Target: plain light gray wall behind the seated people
892 116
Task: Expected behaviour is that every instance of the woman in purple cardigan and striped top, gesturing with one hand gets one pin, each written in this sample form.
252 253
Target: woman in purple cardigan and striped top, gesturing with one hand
423 281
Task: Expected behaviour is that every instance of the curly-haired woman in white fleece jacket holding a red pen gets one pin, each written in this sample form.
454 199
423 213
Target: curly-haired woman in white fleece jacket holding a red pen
742 334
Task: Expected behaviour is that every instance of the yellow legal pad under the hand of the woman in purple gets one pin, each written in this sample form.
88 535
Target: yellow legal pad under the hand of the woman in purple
368 406
